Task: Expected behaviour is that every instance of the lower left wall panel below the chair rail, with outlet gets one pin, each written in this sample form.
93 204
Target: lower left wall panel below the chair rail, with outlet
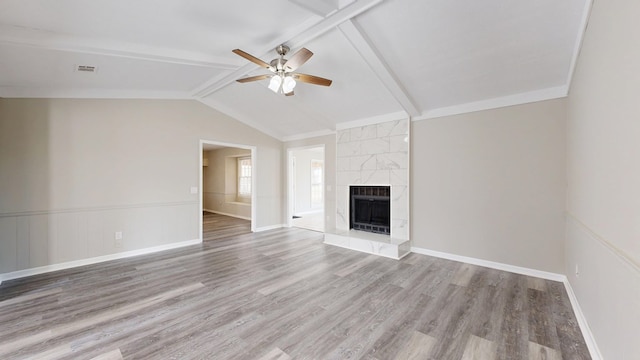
43 238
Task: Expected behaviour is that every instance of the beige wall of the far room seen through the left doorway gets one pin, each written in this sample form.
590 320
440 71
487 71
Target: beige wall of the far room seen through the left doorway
219 183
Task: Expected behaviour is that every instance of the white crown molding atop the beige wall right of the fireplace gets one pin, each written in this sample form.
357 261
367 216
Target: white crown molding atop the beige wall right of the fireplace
495 103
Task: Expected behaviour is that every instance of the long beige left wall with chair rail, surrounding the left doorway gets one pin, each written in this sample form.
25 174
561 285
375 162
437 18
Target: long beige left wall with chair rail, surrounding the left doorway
73 172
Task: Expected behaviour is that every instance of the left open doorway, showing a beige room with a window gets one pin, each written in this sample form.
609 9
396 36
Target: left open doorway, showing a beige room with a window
227 183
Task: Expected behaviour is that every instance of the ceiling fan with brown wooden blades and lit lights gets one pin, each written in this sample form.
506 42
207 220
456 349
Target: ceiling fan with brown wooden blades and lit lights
283 79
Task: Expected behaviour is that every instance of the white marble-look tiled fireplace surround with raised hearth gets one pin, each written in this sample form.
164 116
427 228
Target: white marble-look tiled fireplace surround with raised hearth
378 155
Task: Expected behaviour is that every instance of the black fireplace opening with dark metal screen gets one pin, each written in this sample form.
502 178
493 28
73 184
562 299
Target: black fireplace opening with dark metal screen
370 208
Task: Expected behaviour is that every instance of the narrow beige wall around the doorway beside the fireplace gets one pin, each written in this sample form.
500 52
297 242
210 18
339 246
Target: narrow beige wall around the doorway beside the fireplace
329 143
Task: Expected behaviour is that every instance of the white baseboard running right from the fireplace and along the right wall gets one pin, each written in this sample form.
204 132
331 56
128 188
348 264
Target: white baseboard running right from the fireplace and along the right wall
582 321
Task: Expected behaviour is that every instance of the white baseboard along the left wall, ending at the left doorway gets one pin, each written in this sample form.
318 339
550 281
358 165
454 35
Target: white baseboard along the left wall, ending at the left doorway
95 260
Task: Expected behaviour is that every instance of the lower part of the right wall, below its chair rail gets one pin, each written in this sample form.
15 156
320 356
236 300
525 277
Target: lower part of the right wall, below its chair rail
607 286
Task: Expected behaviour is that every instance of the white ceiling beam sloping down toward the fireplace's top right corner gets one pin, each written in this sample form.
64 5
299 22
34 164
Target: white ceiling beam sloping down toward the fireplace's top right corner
375 61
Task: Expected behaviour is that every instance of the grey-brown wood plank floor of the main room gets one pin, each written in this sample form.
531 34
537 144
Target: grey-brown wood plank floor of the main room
282 294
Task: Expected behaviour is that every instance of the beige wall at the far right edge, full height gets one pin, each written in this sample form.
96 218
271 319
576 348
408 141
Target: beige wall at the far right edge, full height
603 220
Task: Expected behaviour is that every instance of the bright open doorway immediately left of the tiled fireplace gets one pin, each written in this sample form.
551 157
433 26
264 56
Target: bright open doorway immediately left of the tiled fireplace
306 188
